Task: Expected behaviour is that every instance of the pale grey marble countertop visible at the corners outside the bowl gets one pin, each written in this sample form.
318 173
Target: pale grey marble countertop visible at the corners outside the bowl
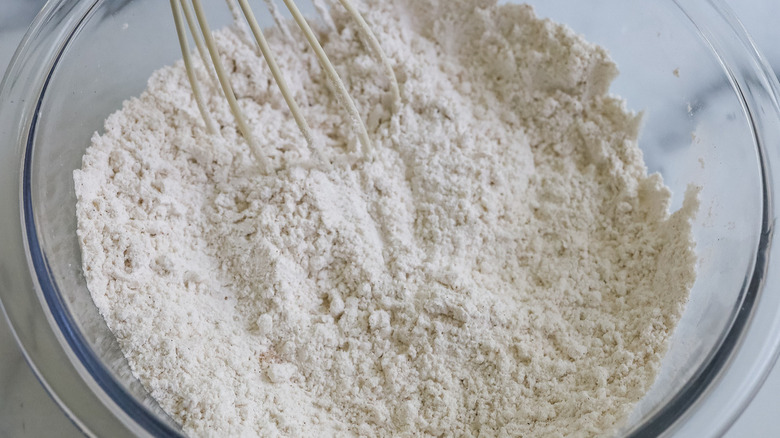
27 411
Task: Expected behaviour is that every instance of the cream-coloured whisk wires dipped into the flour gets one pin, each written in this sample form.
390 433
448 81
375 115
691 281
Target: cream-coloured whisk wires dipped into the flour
204 41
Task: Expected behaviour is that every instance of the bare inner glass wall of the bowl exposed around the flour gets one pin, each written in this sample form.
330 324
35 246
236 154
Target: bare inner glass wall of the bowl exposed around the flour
696 131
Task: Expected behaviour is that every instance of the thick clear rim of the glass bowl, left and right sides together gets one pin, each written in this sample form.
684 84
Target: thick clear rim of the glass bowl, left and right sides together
57 25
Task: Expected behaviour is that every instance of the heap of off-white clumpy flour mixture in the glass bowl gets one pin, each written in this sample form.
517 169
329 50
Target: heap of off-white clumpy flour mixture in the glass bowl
502 266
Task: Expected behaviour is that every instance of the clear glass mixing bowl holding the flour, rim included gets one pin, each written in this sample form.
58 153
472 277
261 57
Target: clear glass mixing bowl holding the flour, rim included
712 119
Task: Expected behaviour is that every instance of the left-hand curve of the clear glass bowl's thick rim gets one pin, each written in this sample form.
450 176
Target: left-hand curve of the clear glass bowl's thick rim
65 365
